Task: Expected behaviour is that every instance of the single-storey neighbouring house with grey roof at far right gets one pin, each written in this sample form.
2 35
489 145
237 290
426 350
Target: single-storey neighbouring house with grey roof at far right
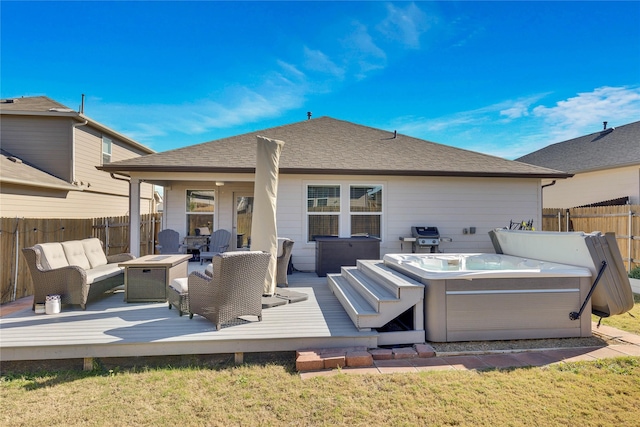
605 167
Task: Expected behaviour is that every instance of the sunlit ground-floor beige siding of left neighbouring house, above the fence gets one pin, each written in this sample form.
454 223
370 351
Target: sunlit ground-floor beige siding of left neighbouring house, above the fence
33 203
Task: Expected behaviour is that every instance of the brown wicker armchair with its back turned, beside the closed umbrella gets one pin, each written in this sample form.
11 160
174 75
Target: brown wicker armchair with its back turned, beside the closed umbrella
234 290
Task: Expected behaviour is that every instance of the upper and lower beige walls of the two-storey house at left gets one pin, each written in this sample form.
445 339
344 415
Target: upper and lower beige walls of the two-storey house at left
48 143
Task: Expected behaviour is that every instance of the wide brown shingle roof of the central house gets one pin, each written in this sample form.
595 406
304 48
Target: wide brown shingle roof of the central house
330 146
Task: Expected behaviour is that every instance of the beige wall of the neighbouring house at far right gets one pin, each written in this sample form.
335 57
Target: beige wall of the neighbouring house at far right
592 187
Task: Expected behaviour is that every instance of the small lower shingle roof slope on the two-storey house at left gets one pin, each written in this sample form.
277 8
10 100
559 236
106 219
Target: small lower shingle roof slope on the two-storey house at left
15 171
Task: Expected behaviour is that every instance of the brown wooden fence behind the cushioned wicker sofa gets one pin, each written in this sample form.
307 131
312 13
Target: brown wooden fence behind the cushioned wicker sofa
18 233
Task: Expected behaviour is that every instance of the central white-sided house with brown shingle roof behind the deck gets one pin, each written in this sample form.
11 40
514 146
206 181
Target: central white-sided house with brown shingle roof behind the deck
340 178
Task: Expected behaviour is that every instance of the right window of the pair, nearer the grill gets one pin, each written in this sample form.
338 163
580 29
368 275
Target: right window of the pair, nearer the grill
365 207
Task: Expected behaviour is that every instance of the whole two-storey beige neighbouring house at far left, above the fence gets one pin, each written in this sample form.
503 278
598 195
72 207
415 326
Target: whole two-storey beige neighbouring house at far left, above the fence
49 158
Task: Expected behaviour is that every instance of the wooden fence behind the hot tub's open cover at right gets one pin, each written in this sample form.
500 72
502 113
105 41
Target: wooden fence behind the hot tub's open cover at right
623 220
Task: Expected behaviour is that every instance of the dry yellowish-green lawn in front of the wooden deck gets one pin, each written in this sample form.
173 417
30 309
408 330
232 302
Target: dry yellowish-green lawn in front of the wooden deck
606 392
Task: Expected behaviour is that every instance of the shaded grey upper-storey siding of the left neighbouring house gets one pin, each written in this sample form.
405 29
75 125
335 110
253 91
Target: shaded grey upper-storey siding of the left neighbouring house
42 141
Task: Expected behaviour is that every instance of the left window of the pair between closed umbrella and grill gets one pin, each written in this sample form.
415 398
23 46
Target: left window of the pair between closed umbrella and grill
323 210
